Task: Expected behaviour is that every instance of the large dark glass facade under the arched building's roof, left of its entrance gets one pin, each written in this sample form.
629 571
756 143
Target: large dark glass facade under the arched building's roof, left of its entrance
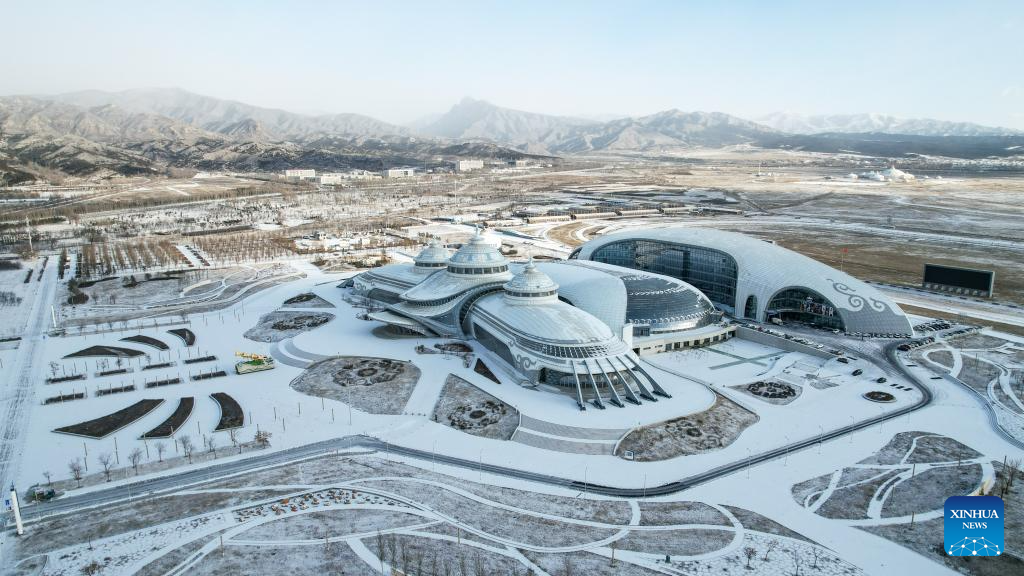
712 272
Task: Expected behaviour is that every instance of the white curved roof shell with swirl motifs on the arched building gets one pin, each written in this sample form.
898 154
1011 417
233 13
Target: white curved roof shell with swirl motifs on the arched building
765 269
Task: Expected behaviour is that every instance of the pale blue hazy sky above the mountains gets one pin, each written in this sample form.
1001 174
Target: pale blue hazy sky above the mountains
401 61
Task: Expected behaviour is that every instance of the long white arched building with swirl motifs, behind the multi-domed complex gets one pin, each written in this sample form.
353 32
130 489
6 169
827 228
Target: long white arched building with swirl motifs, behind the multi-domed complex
754 279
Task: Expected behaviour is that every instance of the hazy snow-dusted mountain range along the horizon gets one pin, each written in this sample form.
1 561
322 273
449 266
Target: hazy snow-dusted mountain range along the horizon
150 131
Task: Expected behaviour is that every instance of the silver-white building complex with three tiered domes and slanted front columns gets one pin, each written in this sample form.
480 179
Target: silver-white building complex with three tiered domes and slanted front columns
582 338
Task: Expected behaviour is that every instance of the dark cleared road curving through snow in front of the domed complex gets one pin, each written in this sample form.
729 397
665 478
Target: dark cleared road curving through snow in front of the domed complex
177 482
